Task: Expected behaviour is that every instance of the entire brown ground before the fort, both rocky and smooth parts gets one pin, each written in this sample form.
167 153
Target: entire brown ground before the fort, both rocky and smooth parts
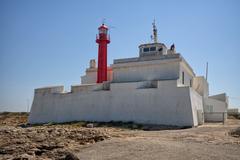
105 142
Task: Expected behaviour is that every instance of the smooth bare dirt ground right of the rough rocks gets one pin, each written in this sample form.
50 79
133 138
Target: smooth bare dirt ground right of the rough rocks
210 141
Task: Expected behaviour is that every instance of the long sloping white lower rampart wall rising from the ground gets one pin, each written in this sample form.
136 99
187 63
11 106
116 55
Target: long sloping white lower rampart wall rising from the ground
167 104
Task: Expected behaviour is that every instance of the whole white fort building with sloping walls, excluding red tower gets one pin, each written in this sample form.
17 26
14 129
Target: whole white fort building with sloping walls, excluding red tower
157 87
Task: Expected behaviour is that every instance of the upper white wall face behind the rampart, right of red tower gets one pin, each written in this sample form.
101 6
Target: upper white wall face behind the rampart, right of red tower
146 70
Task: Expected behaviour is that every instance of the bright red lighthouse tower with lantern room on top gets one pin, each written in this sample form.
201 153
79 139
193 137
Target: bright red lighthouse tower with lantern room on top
102 40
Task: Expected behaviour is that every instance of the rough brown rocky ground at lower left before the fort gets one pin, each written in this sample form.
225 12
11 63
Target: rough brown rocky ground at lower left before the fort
50 141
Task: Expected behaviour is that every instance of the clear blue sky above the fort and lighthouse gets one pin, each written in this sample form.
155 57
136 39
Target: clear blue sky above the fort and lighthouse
50 42
